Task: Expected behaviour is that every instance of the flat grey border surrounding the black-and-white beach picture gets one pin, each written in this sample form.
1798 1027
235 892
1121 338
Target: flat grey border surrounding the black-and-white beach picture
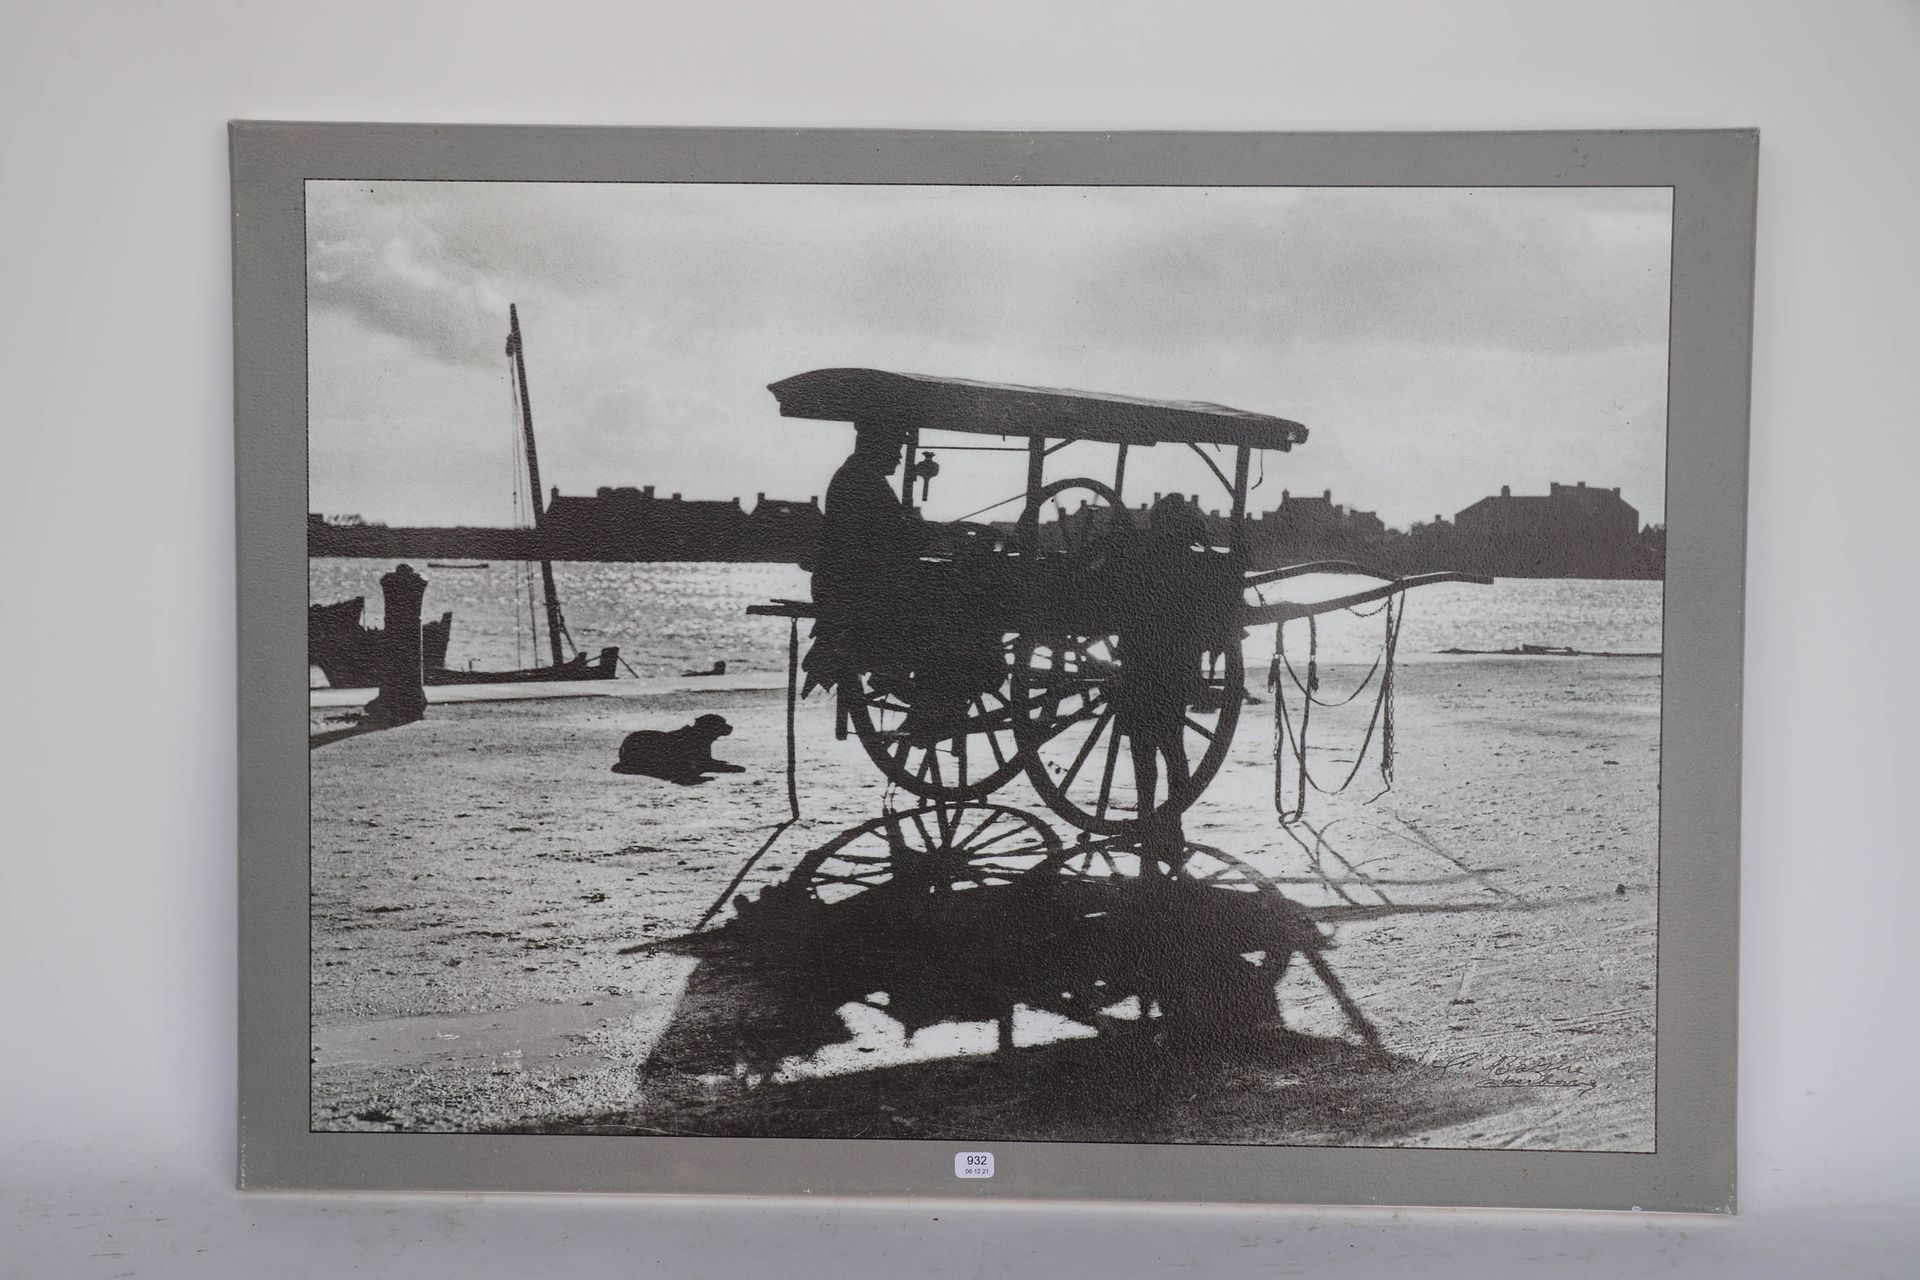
1714 179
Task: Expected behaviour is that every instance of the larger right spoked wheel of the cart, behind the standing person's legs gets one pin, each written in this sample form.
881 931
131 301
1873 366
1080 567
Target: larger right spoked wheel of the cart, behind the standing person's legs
1082 753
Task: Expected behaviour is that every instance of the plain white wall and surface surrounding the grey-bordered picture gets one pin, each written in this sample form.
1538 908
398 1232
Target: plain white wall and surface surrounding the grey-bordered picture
116 598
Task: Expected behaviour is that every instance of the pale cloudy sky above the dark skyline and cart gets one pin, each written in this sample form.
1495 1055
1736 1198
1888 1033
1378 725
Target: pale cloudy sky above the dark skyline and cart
1437 343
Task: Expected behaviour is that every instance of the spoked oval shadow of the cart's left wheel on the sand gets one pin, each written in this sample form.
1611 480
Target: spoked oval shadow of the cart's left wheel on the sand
932 849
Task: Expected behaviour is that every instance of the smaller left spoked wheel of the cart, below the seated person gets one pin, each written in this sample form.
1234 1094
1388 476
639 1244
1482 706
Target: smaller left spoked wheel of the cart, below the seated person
967 757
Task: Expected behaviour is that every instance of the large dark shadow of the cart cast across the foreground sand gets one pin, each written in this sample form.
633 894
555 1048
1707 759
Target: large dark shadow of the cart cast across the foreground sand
961 974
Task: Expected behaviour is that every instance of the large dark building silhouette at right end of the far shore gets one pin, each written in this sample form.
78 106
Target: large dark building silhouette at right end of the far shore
1570 533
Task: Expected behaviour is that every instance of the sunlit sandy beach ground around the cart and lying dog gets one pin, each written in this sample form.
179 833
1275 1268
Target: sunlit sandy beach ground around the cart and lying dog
481 884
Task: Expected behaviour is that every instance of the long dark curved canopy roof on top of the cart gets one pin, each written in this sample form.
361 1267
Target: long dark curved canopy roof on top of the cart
919 402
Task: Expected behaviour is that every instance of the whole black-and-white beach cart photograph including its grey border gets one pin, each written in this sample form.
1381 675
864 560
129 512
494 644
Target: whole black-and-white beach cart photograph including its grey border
1143 667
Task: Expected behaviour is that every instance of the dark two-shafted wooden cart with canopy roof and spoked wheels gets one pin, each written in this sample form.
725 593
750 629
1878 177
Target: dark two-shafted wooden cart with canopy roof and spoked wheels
1097 653
